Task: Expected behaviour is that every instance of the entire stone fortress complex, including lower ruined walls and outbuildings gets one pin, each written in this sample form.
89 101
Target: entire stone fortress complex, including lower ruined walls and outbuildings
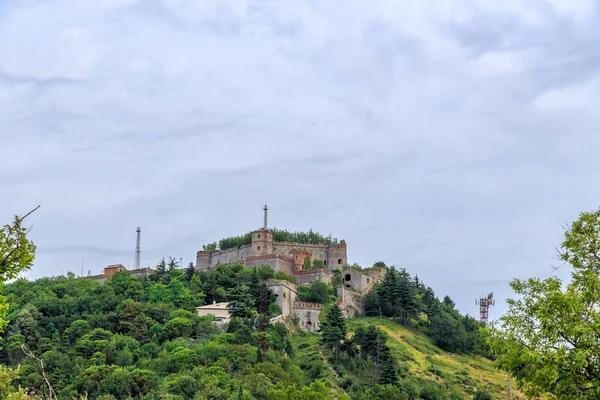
324 259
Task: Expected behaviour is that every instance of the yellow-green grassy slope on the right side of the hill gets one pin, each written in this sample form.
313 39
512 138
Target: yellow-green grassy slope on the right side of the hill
426 360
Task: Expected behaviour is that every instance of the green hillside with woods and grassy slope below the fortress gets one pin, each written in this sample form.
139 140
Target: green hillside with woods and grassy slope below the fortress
141 338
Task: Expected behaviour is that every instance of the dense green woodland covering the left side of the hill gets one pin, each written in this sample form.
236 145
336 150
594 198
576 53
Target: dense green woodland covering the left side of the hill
141 338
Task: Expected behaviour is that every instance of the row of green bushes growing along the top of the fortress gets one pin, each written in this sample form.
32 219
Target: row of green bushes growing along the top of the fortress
279 235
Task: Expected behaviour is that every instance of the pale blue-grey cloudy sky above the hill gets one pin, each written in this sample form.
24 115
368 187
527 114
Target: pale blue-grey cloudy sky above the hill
454 138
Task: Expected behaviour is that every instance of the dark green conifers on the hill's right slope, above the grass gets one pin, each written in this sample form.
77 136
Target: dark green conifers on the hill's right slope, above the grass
405 299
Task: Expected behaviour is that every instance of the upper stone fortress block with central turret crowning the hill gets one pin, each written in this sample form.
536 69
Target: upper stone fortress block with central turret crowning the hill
281 256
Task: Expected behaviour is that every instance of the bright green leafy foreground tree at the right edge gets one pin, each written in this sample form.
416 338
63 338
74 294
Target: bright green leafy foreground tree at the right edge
548 339
